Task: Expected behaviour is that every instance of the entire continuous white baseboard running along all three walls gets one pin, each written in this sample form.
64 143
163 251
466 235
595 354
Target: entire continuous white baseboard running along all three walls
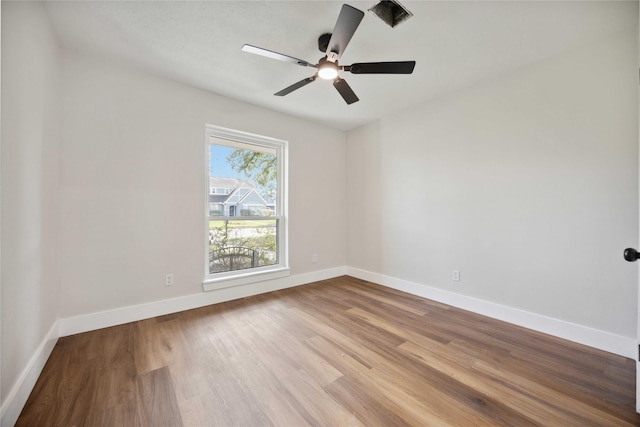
17 397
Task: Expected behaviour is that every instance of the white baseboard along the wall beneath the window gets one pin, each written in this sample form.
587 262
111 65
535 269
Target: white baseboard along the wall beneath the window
119 316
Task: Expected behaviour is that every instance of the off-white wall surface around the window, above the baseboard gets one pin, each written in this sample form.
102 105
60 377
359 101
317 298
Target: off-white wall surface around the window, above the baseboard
133 181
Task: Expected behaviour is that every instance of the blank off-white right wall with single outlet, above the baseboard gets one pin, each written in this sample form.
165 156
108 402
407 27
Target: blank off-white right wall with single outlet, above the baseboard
527 185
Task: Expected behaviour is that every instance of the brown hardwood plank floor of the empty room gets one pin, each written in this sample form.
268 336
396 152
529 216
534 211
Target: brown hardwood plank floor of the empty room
342 352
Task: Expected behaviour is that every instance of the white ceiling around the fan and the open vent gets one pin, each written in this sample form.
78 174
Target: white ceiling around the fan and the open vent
456 44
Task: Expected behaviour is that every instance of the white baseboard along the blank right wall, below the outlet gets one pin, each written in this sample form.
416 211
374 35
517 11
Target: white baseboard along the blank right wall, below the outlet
617 344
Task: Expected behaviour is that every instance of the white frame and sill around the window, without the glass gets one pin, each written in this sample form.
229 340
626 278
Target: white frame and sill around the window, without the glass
228 279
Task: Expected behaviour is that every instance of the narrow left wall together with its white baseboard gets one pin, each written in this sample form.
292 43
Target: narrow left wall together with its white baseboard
30 140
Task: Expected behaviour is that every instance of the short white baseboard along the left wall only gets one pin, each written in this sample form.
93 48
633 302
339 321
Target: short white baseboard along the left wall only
17 397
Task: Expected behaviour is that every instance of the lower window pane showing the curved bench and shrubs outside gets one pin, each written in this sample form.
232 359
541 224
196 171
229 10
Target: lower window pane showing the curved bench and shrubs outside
242 244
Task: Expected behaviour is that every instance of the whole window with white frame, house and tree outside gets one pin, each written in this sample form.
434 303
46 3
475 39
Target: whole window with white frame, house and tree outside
246 208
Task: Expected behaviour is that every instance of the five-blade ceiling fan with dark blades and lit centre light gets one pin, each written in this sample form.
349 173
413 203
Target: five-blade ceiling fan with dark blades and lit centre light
333 46
